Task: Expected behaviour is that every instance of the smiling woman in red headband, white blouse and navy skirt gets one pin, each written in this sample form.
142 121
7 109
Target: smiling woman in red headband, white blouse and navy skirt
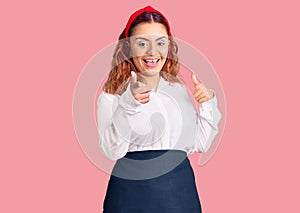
148 123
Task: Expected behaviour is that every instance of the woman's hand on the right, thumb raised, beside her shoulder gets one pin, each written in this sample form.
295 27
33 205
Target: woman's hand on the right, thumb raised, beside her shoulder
201 93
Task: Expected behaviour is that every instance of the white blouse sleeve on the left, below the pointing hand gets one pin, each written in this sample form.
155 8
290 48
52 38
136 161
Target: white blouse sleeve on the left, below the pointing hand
113 131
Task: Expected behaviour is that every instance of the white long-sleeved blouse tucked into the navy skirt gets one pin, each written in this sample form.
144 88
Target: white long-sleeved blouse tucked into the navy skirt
168 121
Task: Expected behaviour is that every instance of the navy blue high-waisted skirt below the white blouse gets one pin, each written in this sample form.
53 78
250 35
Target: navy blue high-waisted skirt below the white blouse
152 181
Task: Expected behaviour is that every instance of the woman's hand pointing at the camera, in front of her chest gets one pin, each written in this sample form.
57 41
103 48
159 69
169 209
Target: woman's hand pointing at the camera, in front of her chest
139 90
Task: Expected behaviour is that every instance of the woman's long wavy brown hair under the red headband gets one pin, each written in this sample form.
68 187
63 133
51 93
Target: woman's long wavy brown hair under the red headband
122 63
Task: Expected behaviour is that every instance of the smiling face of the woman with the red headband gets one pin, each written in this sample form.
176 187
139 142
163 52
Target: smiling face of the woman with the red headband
149 46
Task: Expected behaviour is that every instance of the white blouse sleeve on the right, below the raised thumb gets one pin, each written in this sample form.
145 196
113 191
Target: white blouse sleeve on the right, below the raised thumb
207 124
